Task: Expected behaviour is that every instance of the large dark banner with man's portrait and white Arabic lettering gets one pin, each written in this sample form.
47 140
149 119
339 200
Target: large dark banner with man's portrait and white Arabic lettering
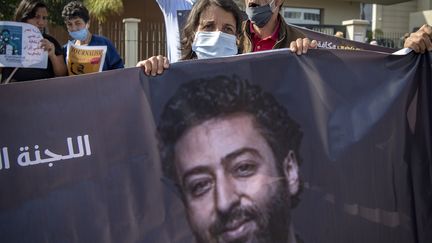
332 146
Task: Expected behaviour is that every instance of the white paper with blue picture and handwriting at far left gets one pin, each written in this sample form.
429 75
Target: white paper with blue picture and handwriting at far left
20 46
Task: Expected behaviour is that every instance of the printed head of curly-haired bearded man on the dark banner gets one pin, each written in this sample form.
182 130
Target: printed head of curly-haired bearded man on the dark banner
227 125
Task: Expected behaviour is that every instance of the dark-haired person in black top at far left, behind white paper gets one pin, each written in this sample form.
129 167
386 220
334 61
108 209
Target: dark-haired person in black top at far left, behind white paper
35 12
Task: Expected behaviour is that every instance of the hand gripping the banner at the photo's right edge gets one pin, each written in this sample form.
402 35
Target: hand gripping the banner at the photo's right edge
421 40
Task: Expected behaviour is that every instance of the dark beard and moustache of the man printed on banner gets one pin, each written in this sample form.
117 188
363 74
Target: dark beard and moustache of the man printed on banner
273 220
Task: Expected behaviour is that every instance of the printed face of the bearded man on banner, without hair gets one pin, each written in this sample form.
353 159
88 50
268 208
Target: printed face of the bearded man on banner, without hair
232 188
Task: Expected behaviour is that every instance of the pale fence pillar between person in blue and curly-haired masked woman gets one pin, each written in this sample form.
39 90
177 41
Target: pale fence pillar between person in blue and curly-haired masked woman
131 41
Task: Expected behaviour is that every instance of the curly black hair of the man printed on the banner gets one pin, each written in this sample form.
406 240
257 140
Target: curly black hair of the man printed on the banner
200 100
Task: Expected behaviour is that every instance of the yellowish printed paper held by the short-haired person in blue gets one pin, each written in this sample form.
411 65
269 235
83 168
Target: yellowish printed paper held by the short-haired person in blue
85 59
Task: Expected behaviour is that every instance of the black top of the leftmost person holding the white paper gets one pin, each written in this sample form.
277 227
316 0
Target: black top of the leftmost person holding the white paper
27 74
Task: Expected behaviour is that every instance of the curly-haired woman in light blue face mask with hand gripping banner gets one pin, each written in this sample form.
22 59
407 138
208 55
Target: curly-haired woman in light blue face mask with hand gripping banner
210 21
